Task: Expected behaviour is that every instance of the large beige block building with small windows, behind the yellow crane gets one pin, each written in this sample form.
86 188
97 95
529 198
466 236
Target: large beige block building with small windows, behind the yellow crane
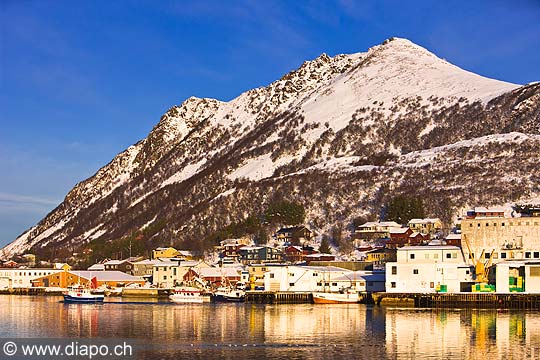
507 238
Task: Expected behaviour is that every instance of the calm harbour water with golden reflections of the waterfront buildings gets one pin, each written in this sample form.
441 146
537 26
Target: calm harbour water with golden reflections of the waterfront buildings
246 331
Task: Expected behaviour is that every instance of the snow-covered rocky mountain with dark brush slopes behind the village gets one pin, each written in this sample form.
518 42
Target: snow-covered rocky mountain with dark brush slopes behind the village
340 135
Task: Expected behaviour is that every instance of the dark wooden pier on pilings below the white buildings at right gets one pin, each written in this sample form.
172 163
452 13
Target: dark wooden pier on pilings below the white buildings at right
460 300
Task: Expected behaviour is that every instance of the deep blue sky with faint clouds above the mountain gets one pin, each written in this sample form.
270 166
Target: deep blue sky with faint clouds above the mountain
81 81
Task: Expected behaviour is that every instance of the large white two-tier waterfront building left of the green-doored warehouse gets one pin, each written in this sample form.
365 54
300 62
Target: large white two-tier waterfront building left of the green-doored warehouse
431 268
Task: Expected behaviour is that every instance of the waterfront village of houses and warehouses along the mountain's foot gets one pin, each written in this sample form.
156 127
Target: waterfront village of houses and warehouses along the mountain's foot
489 250
